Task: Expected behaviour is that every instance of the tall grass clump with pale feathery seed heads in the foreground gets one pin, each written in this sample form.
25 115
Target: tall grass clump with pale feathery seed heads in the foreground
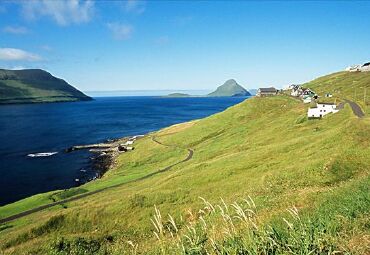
234 229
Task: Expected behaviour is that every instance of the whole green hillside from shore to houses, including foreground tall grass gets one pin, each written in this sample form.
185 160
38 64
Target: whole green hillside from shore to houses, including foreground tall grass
251 163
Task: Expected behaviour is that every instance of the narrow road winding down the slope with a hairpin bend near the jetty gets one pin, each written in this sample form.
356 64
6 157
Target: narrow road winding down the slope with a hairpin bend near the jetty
78 197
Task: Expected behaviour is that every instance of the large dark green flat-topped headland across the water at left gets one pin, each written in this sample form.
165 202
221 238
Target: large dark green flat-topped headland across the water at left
35 86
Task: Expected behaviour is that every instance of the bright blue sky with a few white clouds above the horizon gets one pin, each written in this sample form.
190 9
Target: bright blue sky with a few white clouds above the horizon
185 45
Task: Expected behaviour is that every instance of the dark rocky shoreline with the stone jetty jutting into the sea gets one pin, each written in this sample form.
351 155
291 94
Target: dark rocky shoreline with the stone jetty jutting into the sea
105 154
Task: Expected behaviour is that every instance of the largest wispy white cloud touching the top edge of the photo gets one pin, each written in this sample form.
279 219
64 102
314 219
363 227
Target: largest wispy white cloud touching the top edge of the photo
62 12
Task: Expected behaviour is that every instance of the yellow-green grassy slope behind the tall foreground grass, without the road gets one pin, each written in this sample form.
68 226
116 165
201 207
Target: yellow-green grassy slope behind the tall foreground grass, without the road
263 147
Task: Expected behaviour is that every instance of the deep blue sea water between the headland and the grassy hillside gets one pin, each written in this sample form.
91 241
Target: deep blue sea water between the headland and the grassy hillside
35 128
